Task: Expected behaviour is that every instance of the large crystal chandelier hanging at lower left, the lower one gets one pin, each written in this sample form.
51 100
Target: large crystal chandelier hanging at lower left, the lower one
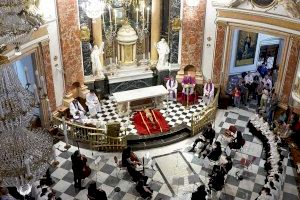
25 152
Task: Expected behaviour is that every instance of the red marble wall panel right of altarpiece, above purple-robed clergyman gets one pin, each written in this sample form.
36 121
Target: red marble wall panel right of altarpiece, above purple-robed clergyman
193 25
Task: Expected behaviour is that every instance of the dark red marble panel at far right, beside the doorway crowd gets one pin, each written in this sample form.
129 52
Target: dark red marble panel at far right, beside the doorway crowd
291 70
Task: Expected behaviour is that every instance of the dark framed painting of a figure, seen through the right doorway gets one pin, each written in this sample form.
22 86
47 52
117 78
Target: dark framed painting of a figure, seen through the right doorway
246 48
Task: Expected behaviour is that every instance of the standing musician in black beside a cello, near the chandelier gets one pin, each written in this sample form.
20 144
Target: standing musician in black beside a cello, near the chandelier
77 167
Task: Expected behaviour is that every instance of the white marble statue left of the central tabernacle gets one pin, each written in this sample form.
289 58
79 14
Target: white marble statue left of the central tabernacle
97 67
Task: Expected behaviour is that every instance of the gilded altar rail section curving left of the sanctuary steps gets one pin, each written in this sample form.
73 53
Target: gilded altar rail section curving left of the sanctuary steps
96 138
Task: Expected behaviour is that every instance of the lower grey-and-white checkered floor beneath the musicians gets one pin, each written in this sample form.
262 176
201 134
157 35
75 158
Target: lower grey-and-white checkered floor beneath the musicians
175 161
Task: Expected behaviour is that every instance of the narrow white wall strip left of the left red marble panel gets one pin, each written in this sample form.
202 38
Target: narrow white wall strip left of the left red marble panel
48 9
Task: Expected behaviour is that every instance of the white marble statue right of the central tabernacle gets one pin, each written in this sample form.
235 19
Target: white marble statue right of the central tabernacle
163 52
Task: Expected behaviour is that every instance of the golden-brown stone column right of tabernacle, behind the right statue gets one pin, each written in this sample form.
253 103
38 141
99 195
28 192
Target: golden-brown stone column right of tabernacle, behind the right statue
155 28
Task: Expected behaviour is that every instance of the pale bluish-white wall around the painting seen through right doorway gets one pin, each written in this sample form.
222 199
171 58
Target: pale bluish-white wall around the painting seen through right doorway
262 39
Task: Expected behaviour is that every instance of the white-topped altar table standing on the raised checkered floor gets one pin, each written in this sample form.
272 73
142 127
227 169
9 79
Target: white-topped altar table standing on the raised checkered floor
140 98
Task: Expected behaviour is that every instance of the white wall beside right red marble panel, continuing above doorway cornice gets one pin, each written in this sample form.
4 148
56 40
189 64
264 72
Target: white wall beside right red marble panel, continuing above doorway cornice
210 30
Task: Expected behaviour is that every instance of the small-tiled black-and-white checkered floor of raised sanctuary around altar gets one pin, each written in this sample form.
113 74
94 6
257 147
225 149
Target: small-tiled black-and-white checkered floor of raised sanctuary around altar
174 113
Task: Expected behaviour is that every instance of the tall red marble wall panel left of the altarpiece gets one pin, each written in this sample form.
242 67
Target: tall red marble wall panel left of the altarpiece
70 42
